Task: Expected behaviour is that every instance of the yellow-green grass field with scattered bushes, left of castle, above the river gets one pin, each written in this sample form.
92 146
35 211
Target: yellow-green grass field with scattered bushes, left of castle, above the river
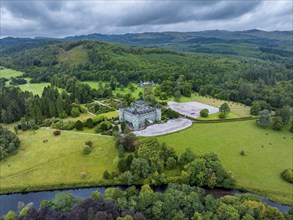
38 165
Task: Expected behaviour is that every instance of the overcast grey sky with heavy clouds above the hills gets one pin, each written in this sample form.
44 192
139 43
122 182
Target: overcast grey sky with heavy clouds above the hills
58 18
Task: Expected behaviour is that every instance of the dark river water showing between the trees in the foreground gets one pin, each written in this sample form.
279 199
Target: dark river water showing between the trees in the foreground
10 201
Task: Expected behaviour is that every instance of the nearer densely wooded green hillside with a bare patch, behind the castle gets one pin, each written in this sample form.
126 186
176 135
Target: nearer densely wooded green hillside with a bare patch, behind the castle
229 78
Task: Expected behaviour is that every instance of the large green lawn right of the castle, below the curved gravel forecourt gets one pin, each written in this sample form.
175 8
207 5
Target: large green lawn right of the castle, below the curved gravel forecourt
268 153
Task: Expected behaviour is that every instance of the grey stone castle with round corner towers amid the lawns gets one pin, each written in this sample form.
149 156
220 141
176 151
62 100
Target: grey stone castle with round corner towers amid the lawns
139 113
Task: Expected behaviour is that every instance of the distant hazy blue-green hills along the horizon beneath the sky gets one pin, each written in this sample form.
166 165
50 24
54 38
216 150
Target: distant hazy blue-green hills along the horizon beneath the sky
275 46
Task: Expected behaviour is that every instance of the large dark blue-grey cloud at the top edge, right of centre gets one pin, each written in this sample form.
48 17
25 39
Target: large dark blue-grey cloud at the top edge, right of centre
168 12
